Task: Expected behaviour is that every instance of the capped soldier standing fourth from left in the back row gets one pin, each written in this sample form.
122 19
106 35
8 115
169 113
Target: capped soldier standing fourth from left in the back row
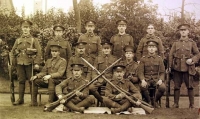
121 39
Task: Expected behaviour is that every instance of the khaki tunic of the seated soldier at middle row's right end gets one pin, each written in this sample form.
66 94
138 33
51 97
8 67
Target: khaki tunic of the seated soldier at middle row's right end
151 67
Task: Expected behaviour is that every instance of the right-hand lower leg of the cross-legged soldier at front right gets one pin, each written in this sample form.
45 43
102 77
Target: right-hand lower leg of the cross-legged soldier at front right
124 107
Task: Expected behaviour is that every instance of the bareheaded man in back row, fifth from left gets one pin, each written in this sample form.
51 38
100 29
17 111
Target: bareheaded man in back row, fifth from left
142 47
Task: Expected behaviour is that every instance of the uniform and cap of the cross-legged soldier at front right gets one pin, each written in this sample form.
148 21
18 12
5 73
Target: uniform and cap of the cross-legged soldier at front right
111 99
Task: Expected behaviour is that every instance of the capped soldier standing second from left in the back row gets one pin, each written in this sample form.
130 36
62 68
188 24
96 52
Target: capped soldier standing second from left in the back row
65 52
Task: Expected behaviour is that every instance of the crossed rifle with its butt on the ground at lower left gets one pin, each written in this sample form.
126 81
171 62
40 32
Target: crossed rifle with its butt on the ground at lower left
51 106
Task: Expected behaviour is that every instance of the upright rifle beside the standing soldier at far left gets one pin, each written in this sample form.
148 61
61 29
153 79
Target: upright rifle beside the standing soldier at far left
12 87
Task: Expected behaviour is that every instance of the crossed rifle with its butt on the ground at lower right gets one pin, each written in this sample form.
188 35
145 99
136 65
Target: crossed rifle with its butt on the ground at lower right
146 108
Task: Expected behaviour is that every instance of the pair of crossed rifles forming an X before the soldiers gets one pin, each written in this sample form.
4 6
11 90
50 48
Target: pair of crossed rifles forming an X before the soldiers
148 108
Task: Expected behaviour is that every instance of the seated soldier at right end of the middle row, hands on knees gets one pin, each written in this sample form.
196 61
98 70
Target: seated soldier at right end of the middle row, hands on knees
151 72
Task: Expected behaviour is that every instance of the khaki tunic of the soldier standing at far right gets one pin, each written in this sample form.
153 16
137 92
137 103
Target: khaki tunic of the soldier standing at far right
182 50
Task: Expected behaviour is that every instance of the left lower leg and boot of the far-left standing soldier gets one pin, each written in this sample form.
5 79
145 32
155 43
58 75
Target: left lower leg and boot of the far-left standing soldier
21 95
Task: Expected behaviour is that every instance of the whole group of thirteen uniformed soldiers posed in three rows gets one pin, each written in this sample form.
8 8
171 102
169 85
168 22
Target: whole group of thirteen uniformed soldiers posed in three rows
64 72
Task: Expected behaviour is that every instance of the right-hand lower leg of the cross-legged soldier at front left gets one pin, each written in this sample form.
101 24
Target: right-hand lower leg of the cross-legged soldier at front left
86 102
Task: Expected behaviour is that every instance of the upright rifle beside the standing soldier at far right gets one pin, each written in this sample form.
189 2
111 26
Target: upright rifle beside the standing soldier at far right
167 81
